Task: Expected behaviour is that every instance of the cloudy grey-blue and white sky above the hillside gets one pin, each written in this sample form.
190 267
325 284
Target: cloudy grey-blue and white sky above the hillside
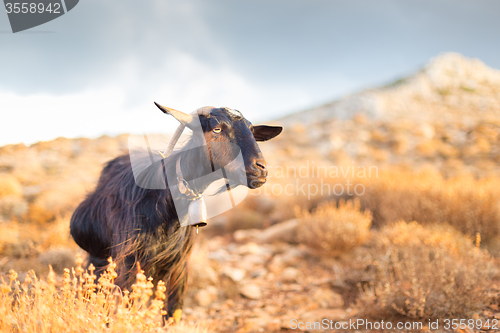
97 69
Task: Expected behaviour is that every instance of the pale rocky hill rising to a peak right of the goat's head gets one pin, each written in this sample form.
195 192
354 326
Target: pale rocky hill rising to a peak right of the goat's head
447 115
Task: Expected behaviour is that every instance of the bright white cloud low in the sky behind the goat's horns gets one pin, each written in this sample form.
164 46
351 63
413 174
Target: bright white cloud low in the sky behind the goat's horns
180 81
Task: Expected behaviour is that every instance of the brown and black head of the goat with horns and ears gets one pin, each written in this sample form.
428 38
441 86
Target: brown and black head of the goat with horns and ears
227 133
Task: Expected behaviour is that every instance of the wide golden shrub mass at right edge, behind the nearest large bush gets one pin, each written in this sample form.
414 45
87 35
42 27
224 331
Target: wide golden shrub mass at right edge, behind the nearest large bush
468 204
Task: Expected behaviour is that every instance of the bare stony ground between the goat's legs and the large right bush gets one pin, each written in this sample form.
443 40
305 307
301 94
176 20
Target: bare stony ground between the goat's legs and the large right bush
261 287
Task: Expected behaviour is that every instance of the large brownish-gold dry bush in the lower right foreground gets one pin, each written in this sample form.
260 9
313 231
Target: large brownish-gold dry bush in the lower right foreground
422 272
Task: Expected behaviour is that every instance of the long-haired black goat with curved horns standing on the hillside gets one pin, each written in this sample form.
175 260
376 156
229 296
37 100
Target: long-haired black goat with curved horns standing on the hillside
133 224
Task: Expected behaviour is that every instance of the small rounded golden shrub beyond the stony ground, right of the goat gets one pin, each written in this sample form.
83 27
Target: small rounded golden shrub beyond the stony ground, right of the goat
335 230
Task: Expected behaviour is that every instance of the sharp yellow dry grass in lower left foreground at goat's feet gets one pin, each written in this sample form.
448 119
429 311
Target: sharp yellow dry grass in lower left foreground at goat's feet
83 304
